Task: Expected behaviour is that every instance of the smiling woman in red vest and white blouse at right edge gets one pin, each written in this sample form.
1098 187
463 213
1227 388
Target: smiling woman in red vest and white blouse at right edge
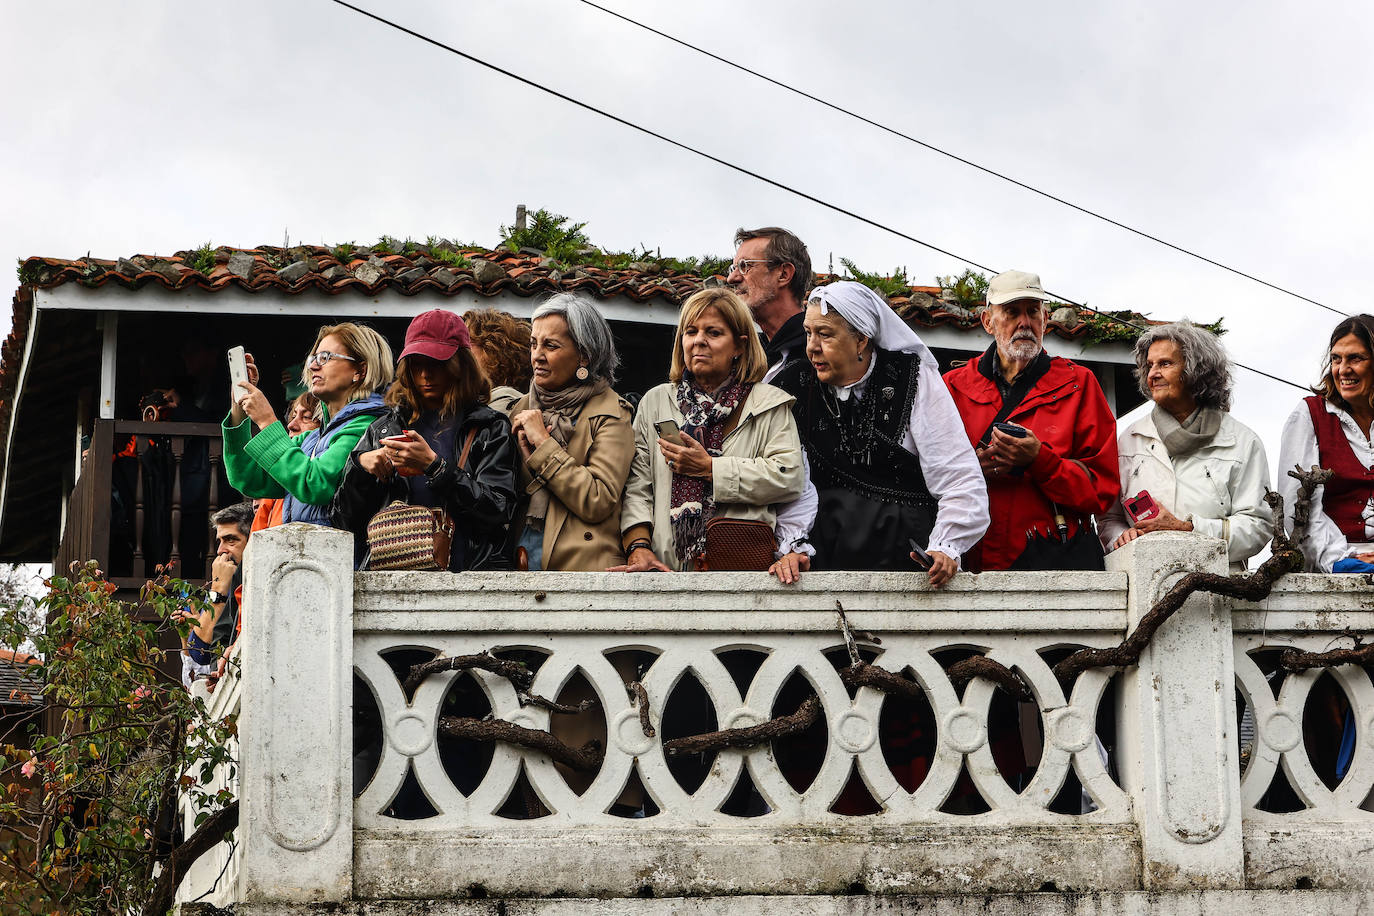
1332 429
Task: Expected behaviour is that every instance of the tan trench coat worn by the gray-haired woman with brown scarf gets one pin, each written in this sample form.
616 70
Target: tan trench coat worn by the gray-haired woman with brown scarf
586 483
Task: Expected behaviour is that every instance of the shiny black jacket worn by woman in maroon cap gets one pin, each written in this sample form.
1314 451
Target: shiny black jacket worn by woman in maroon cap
482 498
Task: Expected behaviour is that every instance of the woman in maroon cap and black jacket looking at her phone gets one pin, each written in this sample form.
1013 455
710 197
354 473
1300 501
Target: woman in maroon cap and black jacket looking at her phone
439 446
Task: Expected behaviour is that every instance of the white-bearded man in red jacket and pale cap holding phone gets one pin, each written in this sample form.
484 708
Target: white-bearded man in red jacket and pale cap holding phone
1053 462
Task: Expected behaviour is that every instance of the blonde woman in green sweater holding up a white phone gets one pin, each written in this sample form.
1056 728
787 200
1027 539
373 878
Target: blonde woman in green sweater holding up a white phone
346 369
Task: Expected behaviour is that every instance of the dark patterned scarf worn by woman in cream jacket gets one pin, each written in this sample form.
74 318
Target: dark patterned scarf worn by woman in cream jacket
704 420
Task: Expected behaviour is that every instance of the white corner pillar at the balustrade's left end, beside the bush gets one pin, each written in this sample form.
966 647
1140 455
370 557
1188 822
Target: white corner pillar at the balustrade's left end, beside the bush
296 823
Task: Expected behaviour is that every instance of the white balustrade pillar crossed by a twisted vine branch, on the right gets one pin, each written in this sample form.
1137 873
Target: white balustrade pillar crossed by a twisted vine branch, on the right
1177 756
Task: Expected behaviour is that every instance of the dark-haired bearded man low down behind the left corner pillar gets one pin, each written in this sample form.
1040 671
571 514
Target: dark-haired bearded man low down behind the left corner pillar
215 631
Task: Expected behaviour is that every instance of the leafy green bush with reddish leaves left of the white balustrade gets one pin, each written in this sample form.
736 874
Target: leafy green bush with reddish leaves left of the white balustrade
86 811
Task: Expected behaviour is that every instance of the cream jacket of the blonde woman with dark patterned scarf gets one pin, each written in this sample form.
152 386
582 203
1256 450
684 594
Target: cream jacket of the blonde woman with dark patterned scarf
759 468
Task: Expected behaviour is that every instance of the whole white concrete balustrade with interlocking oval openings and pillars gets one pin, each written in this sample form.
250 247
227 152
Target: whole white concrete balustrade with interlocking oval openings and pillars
1185 815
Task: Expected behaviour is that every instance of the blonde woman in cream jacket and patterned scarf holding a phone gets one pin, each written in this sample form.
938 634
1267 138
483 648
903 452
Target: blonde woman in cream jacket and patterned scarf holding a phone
734 455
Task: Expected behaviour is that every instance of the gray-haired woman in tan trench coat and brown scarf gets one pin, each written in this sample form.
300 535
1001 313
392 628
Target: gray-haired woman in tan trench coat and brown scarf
576 440
